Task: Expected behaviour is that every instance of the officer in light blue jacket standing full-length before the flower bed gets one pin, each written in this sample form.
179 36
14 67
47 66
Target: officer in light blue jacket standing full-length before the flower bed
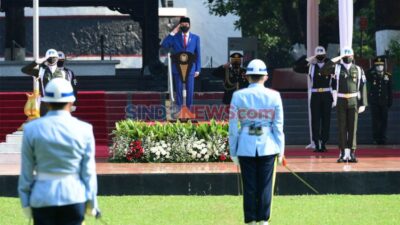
258 141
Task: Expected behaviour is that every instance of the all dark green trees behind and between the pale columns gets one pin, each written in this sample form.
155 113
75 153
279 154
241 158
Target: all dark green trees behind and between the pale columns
280 24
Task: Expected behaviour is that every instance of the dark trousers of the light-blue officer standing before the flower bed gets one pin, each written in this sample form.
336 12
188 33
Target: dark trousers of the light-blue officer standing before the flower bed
257 175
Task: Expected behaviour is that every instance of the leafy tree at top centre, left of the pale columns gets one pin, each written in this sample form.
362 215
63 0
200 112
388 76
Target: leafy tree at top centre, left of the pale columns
263 20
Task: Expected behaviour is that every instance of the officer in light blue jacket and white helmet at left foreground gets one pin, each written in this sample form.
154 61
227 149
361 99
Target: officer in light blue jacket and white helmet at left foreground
58 180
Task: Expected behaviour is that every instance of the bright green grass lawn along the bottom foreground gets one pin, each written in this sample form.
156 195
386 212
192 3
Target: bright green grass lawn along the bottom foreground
221 210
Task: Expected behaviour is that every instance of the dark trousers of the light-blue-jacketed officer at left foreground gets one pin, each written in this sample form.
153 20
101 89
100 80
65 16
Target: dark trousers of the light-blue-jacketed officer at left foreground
59 215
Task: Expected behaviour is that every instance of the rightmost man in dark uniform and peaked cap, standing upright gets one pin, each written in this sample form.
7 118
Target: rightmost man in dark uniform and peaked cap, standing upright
380 99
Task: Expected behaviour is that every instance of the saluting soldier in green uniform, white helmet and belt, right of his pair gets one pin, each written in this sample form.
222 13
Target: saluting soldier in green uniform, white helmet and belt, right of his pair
351 100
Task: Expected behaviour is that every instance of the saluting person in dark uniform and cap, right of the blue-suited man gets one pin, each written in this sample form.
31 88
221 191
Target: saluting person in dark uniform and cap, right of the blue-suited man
233 75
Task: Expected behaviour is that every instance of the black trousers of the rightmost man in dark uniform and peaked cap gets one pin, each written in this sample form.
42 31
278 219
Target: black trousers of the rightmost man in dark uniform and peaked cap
379 115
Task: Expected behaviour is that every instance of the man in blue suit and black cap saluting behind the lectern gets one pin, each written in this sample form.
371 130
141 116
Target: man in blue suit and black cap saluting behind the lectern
181 40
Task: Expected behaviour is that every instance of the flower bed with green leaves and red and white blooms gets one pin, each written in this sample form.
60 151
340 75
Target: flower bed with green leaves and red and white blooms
137 141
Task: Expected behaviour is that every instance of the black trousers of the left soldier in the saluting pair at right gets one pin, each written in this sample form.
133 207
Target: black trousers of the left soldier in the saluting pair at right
321 106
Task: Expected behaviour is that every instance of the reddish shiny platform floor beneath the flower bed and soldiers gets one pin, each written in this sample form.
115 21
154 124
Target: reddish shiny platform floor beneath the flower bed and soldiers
371 158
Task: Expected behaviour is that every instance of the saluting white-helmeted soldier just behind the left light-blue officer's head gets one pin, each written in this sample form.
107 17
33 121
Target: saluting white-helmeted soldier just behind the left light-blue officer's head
45 69
